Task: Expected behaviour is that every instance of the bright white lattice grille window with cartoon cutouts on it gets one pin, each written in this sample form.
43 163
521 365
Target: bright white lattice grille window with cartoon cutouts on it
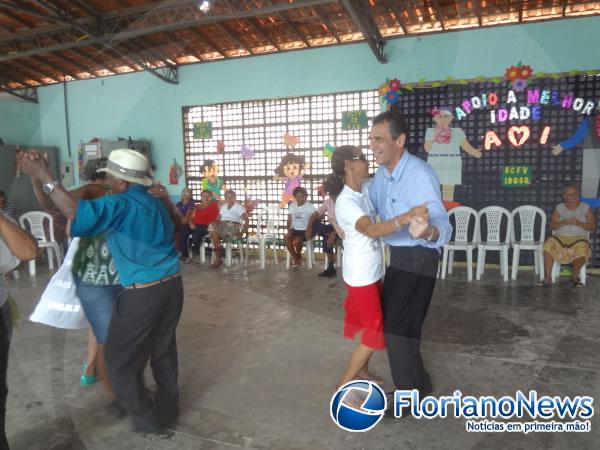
260 126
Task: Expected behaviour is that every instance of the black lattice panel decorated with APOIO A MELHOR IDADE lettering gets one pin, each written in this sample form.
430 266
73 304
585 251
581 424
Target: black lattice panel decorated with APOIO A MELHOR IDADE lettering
481 127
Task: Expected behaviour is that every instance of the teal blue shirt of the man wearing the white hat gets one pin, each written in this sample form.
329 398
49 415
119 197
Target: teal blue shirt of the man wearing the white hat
139 232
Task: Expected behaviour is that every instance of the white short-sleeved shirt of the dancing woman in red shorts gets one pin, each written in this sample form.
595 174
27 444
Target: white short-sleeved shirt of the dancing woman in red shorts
363 256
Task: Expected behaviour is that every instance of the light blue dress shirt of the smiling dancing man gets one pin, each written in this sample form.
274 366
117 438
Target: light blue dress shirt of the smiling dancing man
412 183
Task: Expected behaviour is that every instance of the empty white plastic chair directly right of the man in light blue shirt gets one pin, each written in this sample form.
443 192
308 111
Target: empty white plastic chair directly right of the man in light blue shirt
462 218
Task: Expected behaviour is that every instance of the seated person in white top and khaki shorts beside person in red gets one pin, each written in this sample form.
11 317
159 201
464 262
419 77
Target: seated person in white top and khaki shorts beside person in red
231 224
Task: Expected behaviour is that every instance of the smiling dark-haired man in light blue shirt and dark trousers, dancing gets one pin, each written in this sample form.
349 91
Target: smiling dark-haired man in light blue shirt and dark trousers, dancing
401 183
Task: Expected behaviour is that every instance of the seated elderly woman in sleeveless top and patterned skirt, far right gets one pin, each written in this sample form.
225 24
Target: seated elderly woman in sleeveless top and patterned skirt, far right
571 221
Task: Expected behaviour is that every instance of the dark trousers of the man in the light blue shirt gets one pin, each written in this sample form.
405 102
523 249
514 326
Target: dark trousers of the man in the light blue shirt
407 291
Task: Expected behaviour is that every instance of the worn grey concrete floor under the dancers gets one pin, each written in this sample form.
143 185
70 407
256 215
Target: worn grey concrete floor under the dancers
261 351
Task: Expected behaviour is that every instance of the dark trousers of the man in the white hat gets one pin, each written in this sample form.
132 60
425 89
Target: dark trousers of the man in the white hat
142 329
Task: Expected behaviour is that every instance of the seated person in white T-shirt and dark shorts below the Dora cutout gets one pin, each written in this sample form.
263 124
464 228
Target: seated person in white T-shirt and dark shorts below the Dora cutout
300 212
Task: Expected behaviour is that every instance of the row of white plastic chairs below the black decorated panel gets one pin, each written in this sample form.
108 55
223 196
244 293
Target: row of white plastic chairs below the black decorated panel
493 217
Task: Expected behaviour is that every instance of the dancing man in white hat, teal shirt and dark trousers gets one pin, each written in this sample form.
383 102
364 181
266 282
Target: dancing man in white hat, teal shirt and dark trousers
139 228
